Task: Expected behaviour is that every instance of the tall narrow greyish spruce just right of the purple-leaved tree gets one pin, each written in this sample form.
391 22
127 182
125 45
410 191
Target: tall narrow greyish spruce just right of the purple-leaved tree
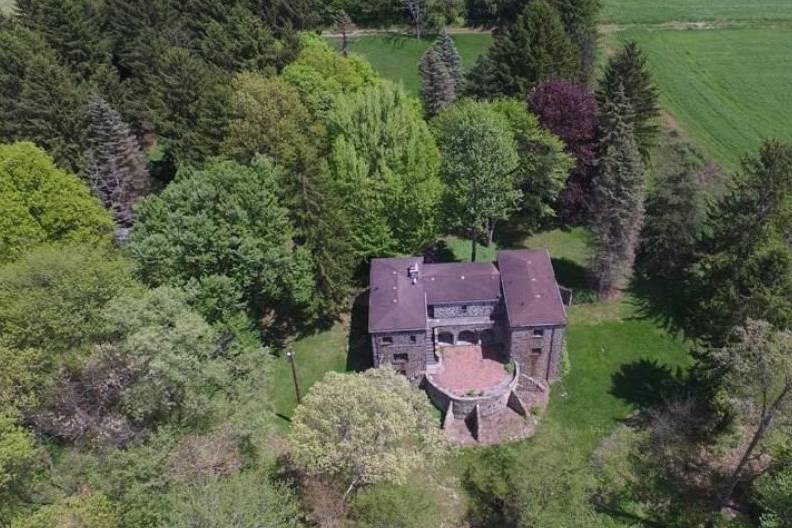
617 202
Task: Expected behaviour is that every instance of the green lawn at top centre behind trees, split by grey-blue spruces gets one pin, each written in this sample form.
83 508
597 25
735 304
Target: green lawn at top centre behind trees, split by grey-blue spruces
396 56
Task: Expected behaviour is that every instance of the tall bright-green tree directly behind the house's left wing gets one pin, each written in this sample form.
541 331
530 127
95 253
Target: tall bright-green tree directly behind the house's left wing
383 153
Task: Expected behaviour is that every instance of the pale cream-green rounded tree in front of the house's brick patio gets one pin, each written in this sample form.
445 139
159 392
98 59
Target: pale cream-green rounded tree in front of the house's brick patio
364 428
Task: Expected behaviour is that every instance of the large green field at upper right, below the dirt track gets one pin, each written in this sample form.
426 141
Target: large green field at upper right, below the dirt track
728 89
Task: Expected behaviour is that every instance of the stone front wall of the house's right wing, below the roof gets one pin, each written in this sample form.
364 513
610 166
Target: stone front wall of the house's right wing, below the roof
539 356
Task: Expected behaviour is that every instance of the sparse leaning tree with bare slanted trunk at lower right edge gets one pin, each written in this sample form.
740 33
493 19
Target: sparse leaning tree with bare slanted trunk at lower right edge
757 364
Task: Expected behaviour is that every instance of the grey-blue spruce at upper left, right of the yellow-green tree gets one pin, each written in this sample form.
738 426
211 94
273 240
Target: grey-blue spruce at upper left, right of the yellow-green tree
116 165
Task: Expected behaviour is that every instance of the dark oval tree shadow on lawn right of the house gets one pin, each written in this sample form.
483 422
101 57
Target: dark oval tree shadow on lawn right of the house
646 383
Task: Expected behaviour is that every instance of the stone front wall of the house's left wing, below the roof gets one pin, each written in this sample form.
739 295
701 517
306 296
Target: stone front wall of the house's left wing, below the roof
404 351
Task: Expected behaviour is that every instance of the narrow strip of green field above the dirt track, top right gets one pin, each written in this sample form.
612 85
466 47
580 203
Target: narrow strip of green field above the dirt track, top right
657 12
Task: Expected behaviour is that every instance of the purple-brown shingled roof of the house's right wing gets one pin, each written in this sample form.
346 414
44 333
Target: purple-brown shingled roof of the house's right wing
530 290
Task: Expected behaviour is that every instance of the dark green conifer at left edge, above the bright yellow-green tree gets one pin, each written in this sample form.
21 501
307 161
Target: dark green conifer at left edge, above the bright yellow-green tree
40 99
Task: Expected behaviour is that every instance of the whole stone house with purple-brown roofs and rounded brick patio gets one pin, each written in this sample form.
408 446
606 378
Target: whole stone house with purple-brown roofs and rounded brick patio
422 316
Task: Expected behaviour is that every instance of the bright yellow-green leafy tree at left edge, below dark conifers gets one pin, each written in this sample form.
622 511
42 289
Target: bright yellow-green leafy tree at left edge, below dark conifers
41 203
